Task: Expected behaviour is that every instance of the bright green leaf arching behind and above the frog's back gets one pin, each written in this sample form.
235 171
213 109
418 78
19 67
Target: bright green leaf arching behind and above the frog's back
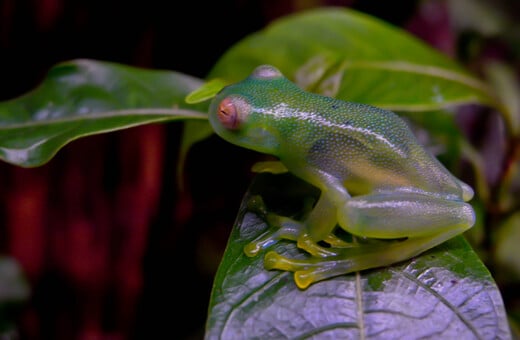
357 58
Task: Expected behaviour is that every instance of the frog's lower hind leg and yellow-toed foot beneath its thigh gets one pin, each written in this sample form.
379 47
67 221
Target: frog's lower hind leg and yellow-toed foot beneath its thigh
348 260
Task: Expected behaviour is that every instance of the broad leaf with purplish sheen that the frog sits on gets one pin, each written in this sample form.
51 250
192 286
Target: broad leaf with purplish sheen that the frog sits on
445 293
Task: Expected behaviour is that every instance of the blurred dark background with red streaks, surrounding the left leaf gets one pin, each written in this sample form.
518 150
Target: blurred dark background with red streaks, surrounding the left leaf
111 249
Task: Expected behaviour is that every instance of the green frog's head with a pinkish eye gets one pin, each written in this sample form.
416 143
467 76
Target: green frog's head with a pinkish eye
242 113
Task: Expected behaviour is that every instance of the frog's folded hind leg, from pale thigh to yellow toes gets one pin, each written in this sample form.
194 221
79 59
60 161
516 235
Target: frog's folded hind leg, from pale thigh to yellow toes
413 223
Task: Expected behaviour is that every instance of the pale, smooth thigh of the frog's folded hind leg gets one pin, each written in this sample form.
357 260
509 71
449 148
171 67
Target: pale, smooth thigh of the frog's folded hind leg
395 215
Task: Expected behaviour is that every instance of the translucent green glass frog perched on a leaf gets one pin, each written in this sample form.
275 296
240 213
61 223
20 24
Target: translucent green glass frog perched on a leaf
376 181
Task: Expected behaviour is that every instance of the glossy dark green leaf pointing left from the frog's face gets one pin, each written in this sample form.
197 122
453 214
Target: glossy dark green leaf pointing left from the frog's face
85 97
